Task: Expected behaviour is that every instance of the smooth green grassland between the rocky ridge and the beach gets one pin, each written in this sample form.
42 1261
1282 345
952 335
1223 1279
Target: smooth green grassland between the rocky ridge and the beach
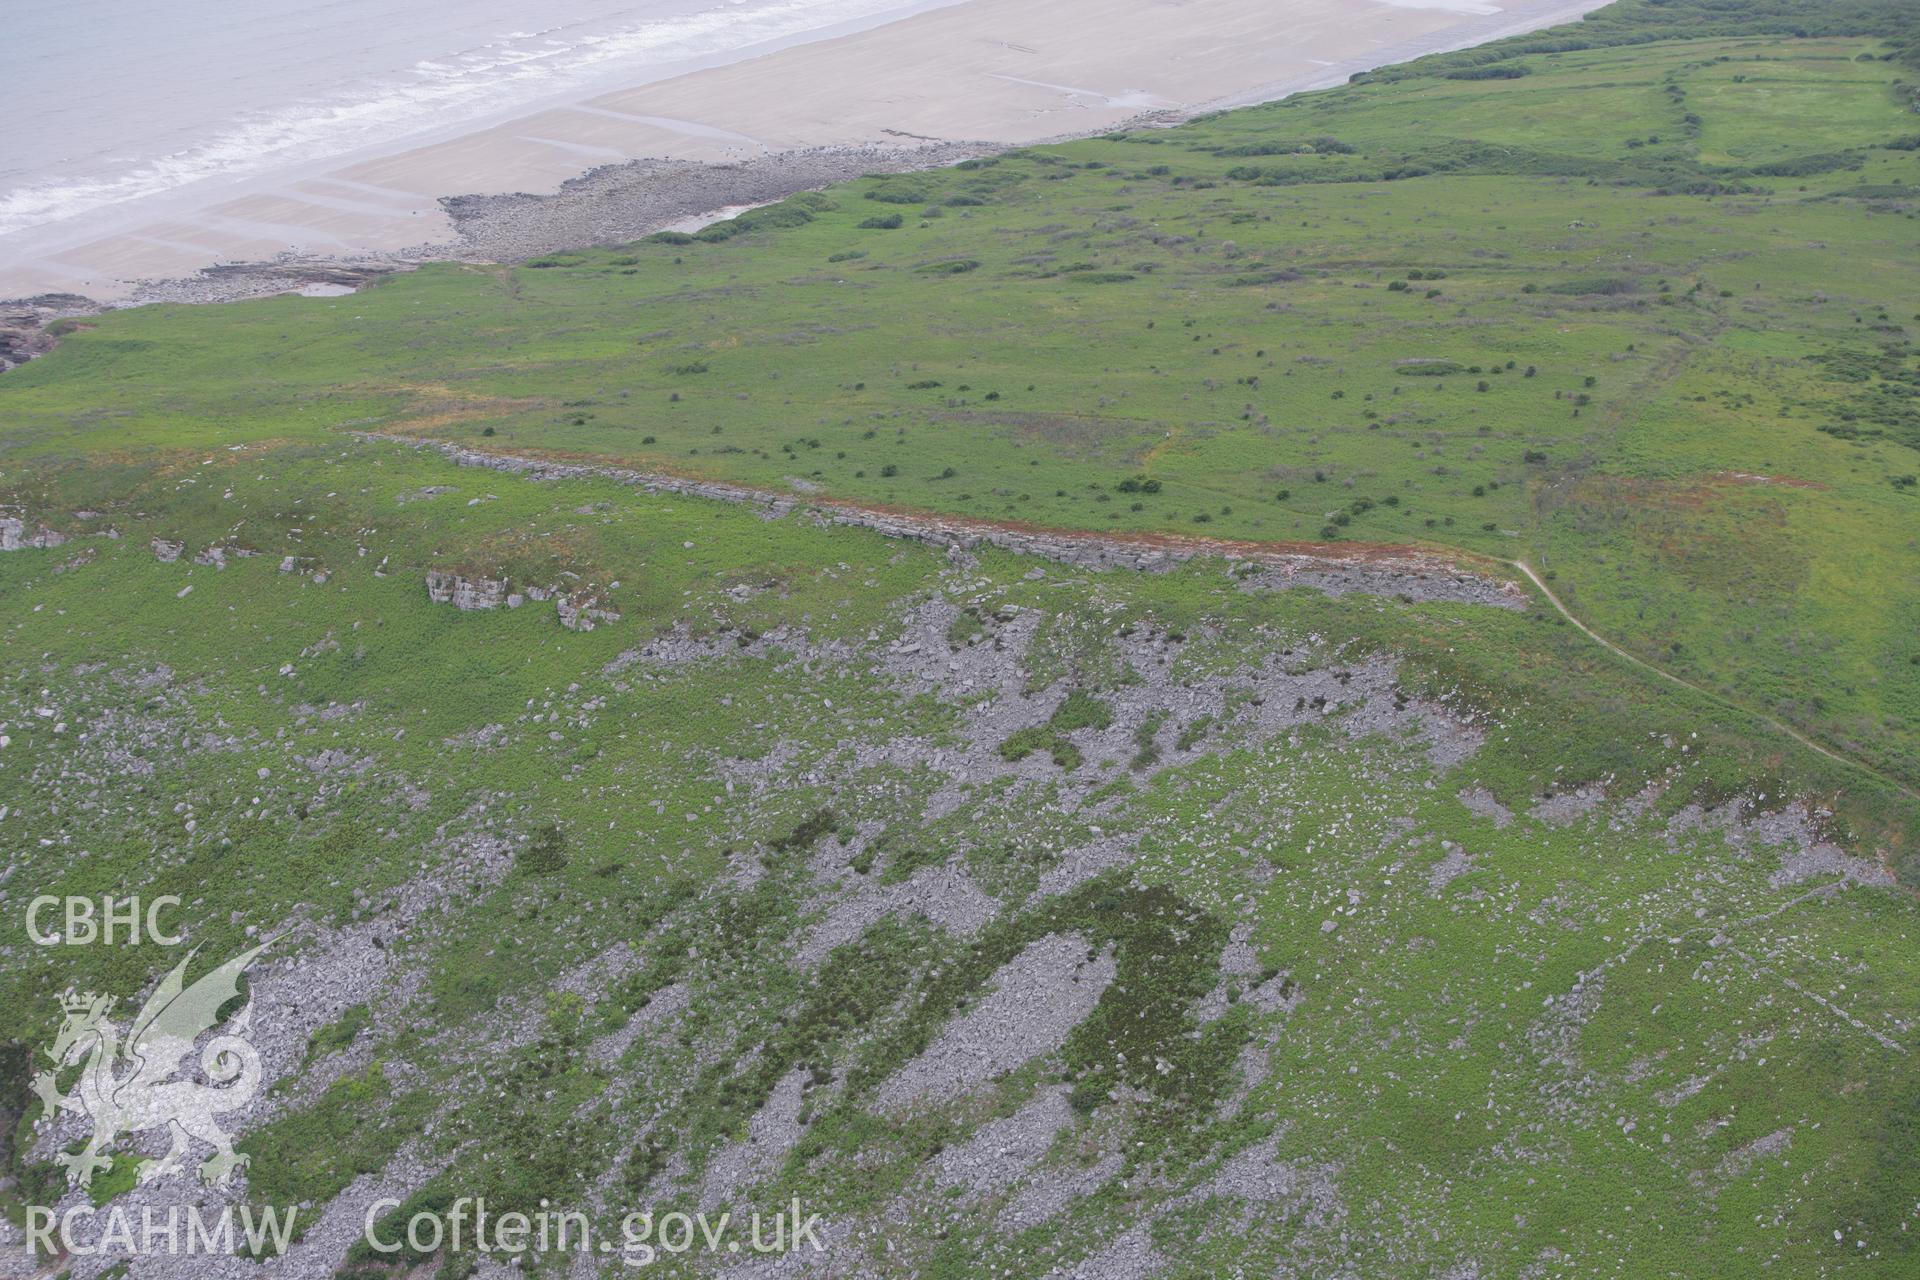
1255 350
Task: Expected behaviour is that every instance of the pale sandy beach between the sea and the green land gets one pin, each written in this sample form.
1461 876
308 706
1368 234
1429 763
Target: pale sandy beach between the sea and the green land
930 87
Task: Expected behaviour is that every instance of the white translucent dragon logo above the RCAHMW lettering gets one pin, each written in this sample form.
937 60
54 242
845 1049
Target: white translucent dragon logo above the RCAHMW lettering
147 1095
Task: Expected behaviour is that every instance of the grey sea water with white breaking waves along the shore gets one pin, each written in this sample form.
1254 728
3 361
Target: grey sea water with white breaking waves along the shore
110 103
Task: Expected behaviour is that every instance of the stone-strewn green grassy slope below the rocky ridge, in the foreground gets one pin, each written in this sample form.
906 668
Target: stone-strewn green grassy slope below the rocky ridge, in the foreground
636 782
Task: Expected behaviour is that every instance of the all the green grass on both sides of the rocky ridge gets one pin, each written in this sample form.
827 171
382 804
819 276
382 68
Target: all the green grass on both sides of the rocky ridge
1550 1051
